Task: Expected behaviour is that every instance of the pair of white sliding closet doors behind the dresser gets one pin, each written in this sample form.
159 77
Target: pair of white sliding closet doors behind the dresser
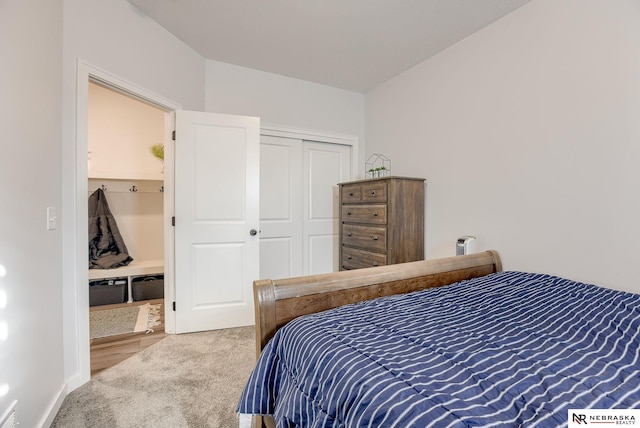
298 205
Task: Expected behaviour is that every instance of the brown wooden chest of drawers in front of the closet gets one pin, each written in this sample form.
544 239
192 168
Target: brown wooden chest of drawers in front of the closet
381 222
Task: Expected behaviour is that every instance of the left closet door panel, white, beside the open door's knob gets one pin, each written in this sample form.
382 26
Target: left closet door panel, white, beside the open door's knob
280 207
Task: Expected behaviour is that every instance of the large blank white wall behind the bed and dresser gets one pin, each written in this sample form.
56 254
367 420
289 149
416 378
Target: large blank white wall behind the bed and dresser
528 133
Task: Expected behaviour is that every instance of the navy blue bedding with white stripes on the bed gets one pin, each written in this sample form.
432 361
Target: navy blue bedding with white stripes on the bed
508 349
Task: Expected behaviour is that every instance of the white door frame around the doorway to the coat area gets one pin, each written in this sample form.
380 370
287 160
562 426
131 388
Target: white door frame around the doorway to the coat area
86 73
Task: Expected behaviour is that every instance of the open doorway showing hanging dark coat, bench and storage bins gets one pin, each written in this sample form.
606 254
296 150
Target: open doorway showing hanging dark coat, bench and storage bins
125 176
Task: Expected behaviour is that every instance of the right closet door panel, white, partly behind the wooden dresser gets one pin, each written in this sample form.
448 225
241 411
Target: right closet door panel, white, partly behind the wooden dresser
324 166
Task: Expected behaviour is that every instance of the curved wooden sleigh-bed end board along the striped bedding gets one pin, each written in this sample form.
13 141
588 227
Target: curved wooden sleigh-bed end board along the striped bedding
279 301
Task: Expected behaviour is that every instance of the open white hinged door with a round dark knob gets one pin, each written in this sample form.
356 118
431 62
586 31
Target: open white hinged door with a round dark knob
216 208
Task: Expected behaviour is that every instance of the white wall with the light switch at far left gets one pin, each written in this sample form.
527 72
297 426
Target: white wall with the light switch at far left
31 356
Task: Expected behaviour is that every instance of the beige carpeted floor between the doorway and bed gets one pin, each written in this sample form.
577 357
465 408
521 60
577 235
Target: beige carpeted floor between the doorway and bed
187 380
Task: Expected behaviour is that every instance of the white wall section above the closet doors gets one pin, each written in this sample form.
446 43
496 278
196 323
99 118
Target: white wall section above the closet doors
281 100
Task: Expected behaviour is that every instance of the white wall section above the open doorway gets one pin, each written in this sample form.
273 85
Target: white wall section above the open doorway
118 38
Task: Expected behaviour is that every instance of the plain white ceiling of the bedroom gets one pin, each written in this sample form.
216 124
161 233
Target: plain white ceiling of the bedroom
349 44
